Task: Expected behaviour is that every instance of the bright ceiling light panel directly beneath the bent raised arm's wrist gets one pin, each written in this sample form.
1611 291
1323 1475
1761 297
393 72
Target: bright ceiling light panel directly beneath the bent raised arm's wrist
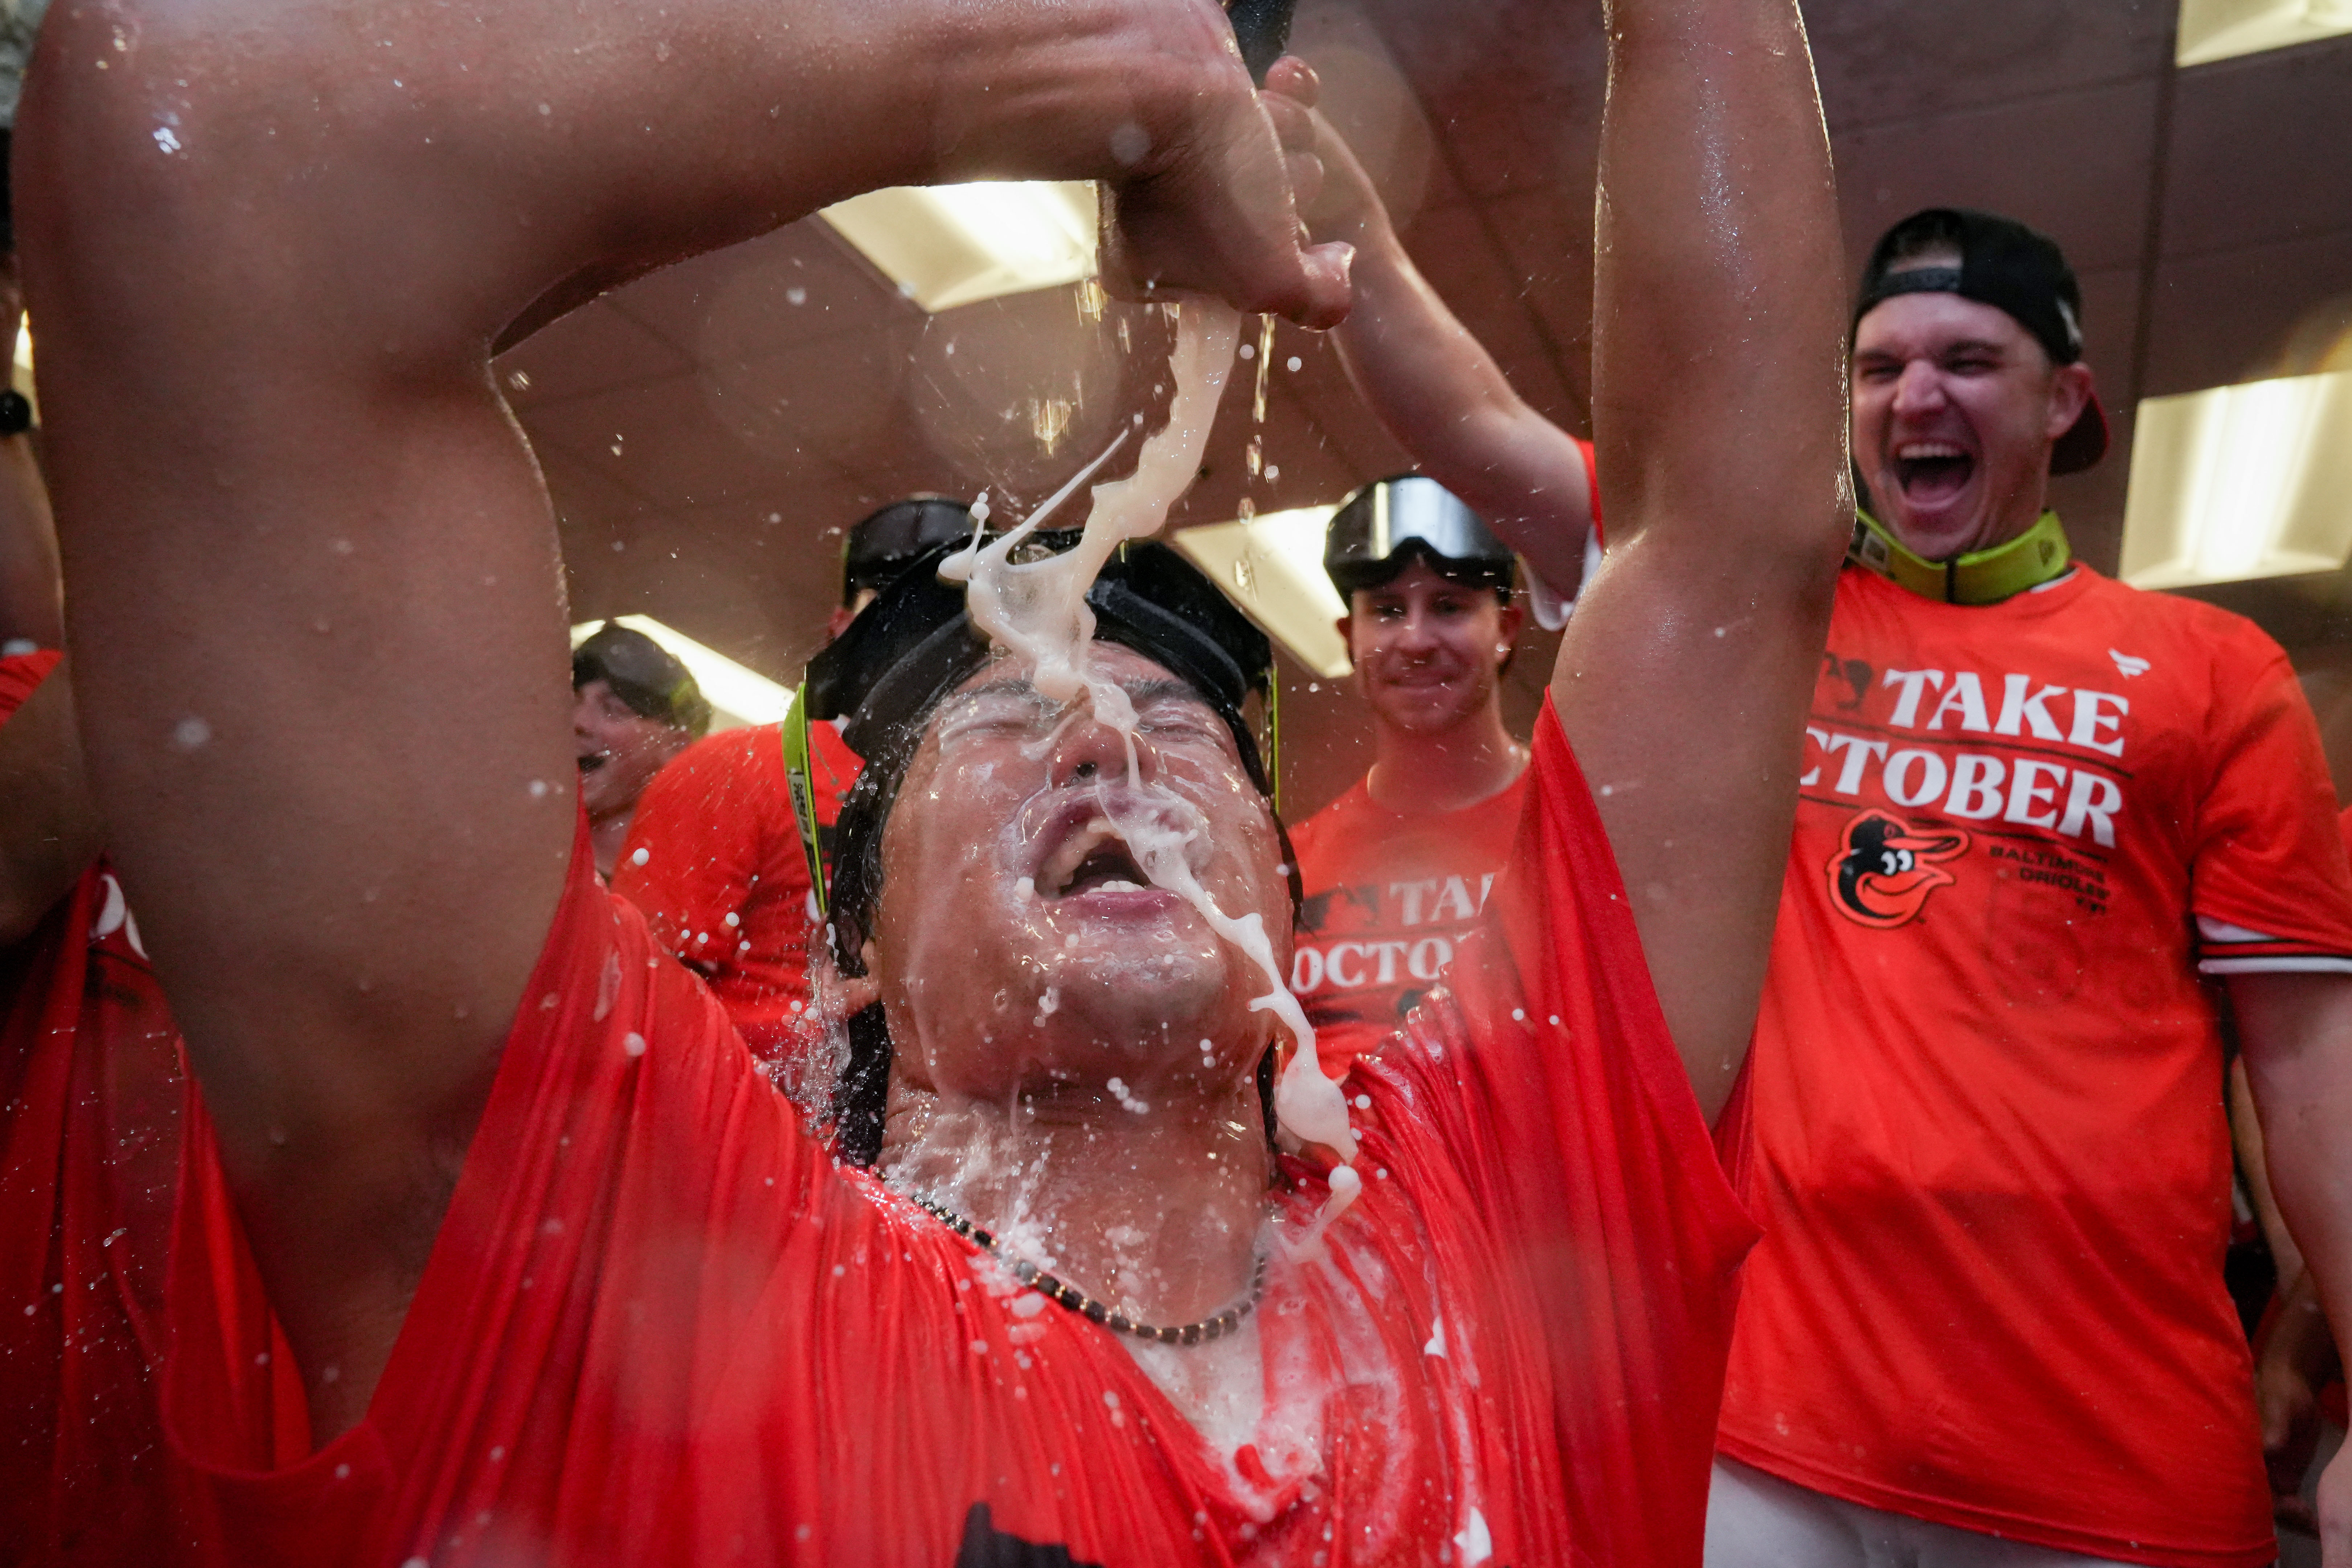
956 246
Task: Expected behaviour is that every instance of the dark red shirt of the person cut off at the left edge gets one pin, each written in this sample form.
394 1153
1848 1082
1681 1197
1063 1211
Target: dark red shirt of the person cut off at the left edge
91 1094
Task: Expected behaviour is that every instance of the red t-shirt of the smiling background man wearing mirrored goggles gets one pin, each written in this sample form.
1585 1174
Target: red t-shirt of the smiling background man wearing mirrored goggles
1389 894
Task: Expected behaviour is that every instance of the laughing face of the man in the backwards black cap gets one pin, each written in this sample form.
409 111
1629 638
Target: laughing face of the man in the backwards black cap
1956 408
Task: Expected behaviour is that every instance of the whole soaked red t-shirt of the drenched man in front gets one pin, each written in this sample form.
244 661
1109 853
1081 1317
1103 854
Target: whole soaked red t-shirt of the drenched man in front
660 1327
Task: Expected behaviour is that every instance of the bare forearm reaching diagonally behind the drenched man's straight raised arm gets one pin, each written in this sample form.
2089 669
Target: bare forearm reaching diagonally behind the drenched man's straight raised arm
1443 396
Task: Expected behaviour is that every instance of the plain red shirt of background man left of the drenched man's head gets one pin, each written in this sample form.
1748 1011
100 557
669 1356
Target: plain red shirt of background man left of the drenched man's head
695 847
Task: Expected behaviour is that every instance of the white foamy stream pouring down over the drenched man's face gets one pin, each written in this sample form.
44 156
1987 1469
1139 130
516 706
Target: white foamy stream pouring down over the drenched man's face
1038 610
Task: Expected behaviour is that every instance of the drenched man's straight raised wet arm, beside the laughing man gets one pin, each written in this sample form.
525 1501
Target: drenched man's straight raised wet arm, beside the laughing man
1720 429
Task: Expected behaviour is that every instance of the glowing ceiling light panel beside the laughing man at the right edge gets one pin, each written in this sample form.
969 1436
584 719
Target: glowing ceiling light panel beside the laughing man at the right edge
2240 483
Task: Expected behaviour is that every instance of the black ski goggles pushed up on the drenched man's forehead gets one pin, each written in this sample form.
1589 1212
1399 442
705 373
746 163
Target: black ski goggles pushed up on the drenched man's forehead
916 643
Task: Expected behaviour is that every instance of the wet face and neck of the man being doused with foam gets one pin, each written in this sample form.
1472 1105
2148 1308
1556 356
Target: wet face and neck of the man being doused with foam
1024 965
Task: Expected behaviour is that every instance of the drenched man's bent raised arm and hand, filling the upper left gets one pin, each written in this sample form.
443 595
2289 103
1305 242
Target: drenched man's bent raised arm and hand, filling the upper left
312 568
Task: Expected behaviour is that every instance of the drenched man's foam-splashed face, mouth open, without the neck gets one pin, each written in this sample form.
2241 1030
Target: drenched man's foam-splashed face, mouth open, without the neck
1001 890
